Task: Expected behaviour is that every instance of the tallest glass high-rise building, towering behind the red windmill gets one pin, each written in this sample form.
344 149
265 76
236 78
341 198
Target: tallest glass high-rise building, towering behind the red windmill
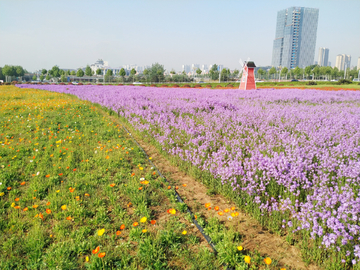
295 37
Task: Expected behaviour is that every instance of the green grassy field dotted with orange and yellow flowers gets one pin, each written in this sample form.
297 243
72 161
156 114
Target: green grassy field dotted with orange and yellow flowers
77 193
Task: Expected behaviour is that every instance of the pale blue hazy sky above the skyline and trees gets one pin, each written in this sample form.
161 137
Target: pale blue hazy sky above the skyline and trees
71 34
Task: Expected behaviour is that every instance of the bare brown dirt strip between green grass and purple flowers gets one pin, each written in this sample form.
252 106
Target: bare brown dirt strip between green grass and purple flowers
254 236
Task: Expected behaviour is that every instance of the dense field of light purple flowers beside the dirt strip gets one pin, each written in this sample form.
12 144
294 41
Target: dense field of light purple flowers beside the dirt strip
293 152
